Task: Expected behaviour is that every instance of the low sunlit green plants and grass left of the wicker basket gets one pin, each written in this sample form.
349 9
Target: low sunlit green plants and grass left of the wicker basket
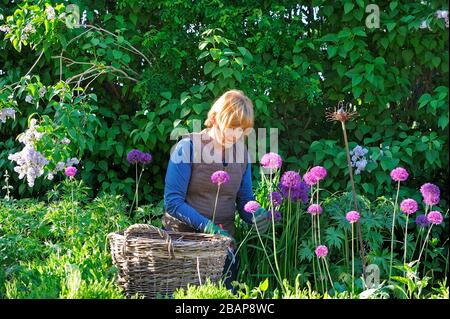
58 249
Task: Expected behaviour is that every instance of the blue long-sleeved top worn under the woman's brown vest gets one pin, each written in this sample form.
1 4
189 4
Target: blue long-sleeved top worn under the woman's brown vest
176 184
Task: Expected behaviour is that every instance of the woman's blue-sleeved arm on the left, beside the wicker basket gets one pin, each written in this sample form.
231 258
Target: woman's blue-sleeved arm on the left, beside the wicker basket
176 185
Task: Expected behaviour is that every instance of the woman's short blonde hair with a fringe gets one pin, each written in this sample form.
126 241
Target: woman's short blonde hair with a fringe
233 109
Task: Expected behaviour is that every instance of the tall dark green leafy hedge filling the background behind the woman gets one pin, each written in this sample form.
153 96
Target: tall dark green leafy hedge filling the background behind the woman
161 66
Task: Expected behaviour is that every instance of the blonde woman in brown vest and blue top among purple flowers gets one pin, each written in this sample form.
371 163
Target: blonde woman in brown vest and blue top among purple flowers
190 195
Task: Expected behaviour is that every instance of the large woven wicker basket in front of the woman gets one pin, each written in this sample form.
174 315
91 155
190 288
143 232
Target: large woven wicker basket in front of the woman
151 260
